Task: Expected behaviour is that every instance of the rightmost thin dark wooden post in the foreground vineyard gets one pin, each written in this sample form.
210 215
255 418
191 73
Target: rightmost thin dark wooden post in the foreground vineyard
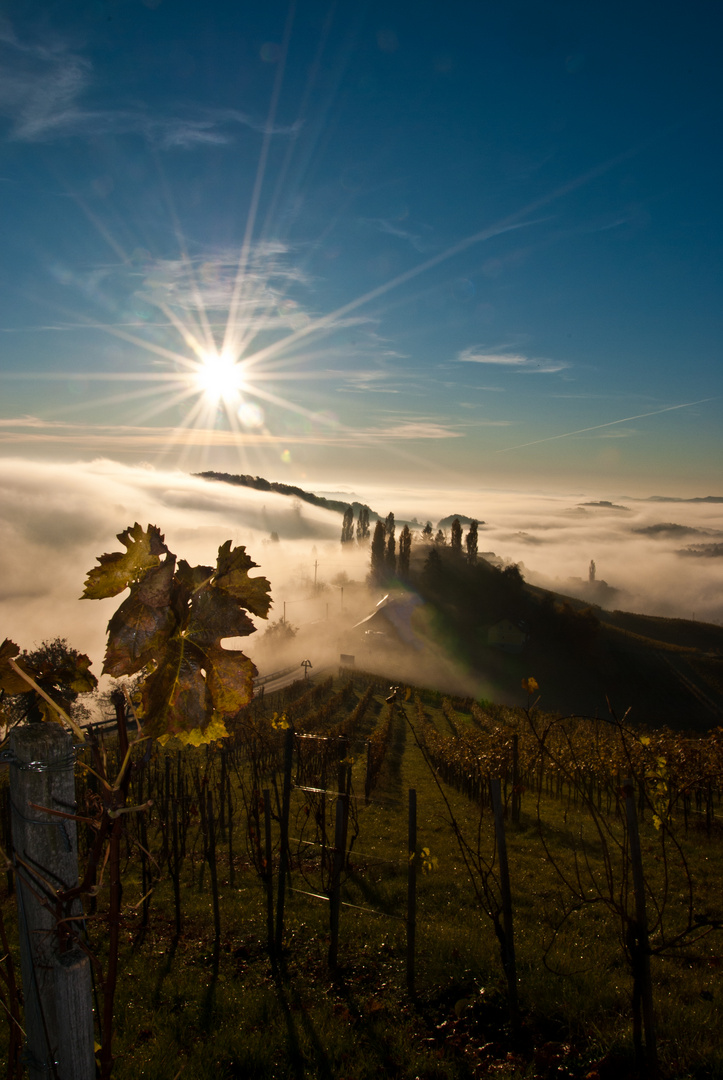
640 948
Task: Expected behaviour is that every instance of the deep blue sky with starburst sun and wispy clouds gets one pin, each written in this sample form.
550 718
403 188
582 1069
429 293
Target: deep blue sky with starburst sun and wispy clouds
459 245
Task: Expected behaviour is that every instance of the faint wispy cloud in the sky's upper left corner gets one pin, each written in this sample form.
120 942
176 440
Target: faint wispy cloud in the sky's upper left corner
47 94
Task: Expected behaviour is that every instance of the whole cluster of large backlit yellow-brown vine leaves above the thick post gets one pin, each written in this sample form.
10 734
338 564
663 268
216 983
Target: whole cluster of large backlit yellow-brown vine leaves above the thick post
172 625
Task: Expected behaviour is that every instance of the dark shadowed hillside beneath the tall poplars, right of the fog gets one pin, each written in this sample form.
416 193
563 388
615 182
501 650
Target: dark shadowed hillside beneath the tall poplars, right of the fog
588 661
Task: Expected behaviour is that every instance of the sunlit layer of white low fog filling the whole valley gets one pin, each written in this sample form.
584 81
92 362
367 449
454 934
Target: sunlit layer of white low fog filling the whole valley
57 519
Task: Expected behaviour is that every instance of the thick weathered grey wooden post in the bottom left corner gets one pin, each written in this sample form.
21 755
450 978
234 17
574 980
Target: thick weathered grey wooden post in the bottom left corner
57 977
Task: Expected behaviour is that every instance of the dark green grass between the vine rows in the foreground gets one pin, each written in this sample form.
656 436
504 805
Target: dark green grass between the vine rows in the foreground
259 1019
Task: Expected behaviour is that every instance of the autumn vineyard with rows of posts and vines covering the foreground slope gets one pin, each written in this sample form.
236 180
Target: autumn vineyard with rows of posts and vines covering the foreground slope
289 909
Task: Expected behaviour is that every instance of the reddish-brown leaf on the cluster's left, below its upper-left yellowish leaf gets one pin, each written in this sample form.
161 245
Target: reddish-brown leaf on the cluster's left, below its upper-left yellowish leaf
141 628
